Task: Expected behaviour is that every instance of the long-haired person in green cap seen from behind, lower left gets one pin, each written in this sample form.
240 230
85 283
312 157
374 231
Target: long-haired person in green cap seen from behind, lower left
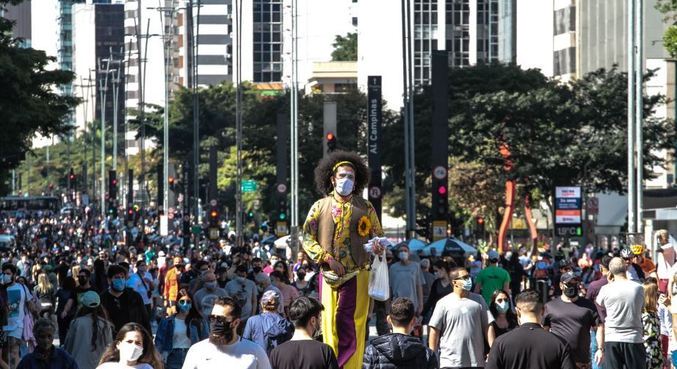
89 333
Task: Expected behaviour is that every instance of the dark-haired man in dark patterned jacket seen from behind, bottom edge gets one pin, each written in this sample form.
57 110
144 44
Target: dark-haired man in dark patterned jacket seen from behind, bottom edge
399 350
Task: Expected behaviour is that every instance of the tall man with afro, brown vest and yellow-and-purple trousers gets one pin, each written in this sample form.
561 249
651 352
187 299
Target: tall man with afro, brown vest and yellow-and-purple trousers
335 231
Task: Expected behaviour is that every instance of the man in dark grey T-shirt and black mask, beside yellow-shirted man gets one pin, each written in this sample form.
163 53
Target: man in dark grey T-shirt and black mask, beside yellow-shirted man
571 317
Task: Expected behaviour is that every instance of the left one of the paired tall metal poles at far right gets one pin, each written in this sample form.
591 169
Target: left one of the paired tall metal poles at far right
631 116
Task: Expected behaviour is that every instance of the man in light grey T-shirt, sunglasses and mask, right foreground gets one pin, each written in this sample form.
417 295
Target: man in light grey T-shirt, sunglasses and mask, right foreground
458 326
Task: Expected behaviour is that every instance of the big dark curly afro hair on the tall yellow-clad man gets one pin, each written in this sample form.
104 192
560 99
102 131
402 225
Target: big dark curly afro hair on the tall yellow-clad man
325 170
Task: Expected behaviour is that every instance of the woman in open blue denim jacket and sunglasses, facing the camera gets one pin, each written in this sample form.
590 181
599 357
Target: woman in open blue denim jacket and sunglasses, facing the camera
188 319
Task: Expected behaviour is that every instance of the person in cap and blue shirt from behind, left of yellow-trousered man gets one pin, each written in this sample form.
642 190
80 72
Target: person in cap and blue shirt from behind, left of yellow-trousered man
268 329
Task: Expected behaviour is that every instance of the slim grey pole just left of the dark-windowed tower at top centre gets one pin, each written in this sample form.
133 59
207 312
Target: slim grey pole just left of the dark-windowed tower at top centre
238 125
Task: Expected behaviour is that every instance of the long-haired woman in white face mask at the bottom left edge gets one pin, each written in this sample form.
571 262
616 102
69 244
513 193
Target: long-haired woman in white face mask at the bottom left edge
132 348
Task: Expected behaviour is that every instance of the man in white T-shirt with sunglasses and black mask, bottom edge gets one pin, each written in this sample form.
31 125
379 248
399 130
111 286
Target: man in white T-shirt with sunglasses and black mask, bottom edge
224 348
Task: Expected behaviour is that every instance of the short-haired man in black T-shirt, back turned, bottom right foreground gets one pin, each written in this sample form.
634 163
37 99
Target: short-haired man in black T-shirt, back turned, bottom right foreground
529 345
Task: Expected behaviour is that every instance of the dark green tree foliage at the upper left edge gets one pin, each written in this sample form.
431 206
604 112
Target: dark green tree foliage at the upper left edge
28 100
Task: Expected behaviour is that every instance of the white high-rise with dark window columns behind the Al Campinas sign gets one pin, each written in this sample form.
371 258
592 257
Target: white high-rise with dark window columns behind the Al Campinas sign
470 30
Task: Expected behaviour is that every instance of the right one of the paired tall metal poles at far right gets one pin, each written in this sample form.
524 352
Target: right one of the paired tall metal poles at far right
639 108
